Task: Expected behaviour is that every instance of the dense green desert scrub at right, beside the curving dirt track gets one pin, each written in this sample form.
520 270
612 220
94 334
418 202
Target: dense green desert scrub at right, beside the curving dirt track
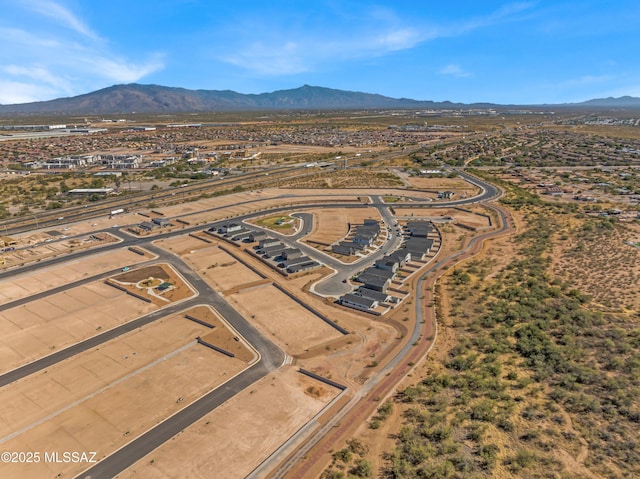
532 352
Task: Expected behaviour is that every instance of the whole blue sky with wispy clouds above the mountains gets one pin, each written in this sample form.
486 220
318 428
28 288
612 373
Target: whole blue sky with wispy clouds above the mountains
523 52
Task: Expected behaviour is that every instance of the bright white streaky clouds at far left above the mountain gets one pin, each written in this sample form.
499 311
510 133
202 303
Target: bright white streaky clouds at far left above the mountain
53 63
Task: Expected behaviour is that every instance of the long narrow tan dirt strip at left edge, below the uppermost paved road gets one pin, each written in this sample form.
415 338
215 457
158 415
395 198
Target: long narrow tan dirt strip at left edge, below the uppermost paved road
27 284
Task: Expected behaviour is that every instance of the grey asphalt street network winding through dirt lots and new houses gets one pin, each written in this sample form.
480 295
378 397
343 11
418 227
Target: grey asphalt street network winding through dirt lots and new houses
271 356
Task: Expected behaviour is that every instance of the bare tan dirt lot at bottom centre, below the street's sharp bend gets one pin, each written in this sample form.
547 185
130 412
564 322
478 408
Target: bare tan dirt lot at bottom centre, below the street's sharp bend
234 439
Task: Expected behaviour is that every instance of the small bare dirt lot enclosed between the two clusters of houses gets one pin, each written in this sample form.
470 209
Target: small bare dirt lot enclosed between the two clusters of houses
332 224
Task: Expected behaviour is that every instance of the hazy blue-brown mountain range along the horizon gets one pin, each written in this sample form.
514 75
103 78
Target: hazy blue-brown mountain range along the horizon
136 98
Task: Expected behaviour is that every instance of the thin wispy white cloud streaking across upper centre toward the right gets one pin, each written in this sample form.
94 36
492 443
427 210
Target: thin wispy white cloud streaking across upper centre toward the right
378 32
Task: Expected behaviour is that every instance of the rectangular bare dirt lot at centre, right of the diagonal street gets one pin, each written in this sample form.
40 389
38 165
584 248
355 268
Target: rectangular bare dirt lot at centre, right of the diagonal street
281 319
